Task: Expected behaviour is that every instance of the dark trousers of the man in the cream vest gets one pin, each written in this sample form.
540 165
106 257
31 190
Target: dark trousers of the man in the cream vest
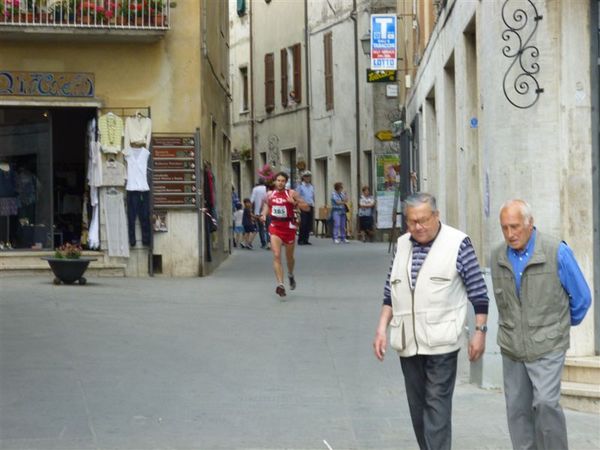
429 381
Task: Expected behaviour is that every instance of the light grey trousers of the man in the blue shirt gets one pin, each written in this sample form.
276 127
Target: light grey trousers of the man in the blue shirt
532 390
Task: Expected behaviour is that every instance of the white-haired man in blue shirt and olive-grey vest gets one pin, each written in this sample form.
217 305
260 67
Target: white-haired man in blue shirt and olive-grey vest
540 292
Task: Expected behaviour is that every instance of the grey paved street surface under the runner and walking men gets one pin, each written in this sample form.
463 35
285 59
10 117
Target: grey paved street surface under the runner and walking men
221 363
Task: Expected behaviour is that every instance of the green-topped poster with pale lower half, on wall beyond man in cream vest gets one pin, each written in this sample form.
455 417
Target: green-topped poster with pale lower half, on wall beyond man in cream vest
388 180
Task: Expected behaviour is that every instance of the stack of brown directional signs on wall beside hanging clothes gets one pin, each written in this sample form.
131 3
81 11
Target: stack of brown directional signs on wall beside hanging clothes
174 181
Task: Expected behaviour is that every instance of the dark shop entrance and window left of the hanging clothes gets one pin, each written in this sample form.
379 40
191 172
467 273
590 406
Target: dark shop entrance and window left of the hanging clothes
43 164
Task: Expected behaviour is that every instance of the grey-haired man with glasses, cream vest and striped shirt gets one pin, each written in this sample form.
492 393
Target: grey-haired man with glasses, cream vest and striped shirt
434 274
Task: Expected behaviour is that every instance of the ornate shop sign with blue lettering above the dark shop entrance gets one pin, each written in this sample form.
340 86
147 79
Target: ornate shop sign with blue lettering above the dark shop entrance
47 84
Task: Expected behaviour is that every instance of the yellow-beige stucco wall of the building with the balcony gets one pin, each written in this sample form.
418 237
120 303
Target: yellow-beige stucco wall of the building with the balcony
170 77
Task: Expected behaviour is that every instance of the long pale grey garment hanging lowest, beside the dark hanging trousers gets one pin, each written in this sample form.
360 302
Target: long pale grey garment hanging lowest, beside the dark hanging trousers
116 222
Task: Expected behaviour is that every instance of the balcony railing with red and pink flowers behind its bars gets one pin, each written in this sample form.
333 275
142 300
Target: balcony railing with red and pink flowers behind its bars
115 14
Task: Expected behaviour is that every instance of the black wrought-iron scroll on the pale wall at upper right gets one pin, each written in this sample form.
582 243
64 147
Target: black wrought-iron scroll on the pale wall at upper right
520 85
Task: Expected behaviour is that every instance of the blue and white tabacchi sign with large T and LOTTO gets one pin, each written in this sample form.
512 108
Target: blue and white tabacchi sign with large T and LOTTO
383 42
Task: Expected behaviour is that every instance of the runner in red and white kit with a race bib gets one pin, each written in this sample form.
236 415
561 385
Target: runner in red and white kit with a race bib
280 206
